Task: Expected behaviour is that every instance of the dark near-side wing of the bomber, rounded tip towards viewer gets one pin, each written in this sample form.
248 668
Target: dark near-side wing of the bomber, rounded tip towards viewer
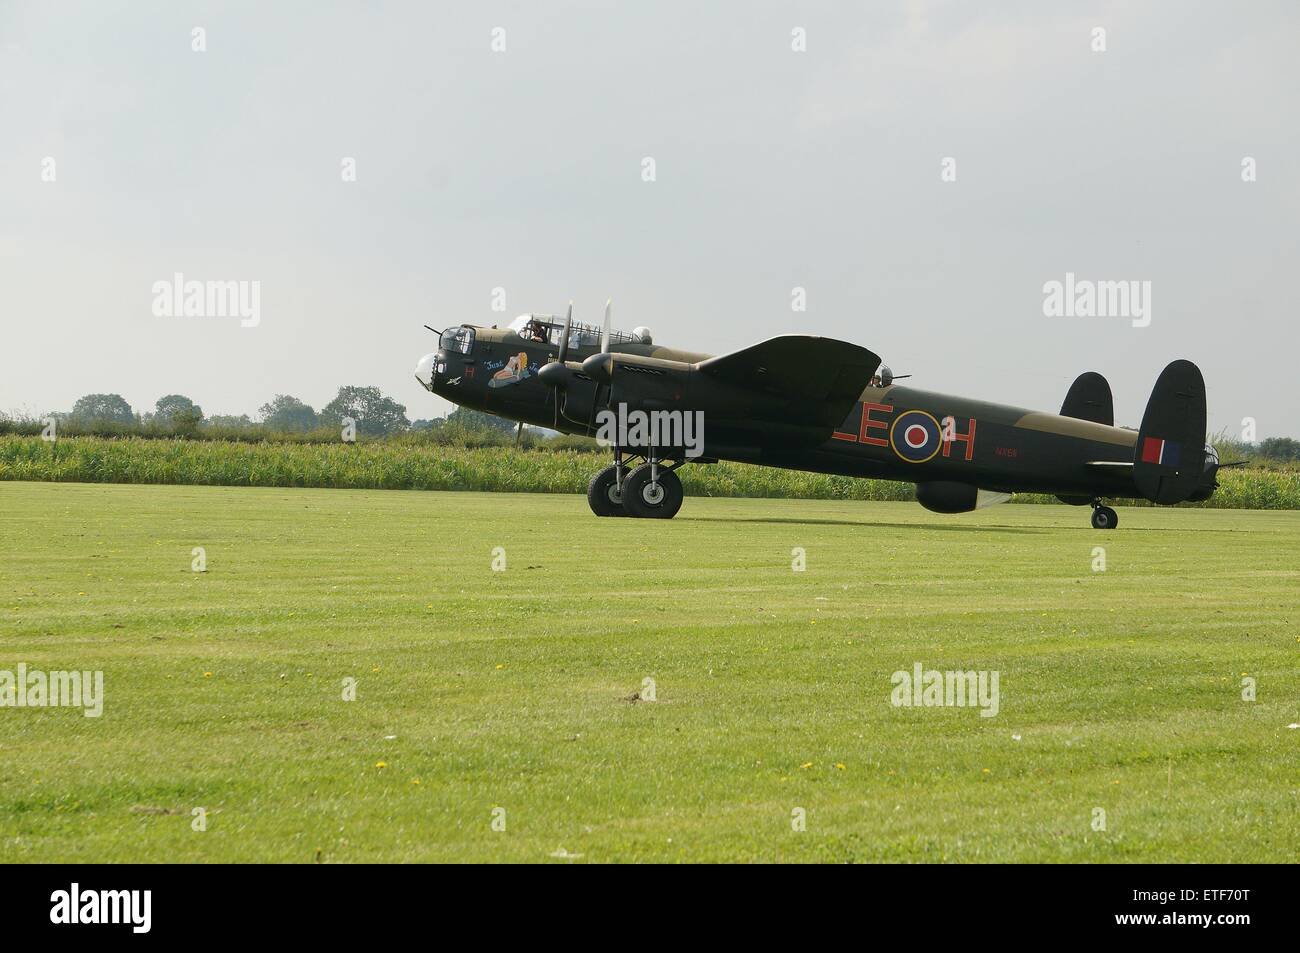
821 378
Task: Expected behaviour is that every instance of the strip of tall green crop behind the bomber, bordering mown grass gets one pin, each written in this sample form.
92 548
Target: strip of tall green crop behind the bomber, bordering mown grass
415 466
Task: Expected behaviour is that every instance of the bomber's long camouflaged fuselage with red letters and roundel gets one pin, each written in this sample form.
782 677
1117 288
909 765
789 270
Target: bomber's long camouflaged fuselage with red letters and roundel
891 434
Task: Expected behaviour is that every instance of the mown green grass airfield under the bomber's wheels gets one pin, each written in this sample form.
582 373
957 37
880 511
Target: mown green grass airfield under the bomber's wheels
480 690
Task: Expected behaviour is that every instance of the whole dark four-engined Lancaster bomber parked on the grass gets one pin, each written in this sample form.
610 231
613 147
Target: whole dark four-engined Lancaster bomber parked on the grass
813 404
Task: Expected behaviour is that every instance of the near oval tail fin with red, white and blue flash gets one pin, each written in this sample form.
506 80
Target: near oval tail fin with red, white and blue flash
1171 454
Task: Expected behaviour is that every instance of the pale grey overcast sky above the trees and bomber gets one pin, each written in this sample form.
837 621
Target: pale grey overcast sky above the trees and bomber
774 170
